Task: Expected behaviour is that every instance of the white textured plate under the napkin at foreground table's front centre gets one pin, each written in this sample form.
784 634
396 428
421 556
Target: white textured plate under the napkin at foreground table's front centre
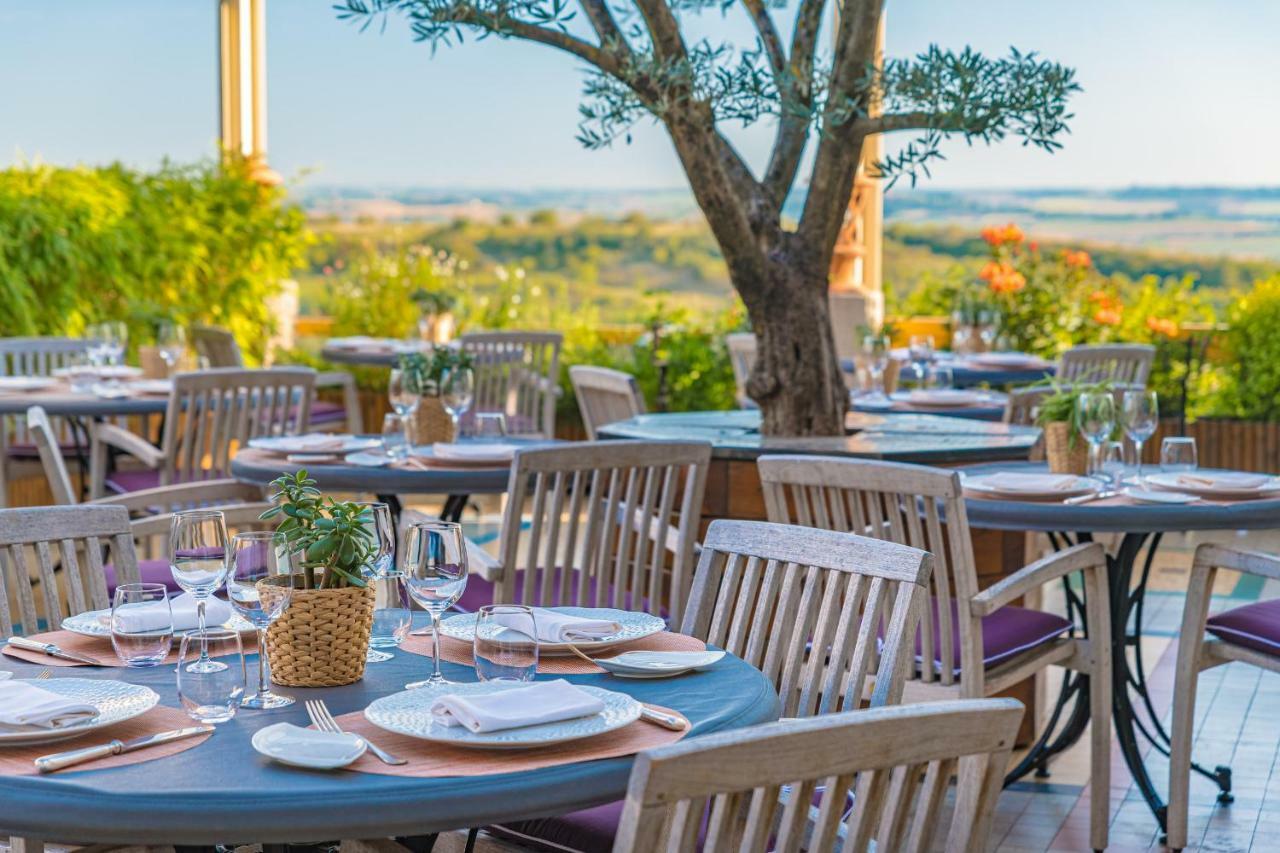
410 714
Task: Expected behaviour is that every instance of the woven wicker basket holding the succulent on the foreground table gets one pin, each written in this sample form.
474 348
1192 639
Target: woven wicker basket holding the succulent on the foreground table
322 638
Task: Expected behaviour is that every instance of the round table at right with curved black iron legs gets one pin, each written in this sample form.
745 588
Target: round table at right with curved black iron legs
1141 527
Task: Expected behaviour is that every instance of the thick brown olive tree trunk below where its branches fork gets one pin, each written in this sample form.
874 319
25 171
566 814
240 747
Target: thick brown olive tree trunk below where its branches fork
797 378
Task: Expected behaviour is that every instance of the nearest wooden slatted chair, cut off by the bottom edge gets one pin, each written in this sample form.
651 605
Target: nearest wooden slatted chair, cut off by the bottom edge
758 788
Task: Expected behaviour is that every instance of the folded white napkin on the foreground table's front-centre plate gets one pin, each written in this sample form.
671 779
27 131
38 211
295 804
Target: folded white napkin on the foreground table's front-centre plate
518 708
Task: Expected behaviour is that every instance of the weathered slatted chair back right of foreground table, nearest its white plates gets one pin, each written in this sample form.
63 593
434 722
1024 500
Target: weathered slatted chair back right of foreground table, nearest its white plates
775 595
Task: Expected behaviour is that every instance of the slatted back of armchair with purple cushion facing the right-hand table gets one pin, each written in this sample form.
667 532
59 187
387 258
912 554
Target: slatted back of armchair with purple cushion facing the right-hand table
912 505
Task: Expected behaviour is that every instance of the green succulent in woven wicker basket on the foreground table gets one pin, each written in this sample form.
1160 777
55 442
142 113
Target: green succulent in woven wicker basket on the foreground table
323 636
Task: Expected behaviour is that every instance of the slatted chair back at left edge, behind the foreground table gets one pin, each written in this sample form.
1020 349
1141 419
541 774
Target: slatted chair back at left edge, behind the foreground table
67 577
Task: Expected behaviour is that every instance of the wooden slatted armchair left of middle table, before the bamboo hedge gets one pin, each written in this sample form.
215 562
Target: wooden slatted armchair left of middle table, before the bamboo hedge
211 416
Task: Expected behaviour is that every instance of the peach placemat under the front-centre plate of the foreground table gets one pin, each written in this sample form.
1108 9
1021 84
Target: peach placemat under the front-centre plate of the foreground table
431 760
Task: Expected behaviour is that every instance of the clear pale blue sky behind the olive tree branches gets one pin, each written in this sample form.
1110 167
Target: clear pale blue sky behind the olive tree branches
1177 93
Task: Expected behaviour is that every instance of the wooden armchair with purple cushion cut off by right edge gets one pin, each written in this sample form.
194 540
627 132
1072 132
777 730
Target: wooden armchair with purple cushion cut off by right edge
1249 635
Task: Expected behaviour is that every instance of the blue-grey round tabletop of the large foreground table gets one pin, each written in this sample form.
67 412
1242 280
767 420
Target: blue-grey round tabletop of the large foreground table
223 792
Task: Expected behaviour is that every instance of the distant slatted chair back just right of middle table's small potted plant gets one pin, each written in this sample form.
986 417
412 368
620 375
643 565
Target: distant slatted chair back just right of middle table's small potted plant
518 375
